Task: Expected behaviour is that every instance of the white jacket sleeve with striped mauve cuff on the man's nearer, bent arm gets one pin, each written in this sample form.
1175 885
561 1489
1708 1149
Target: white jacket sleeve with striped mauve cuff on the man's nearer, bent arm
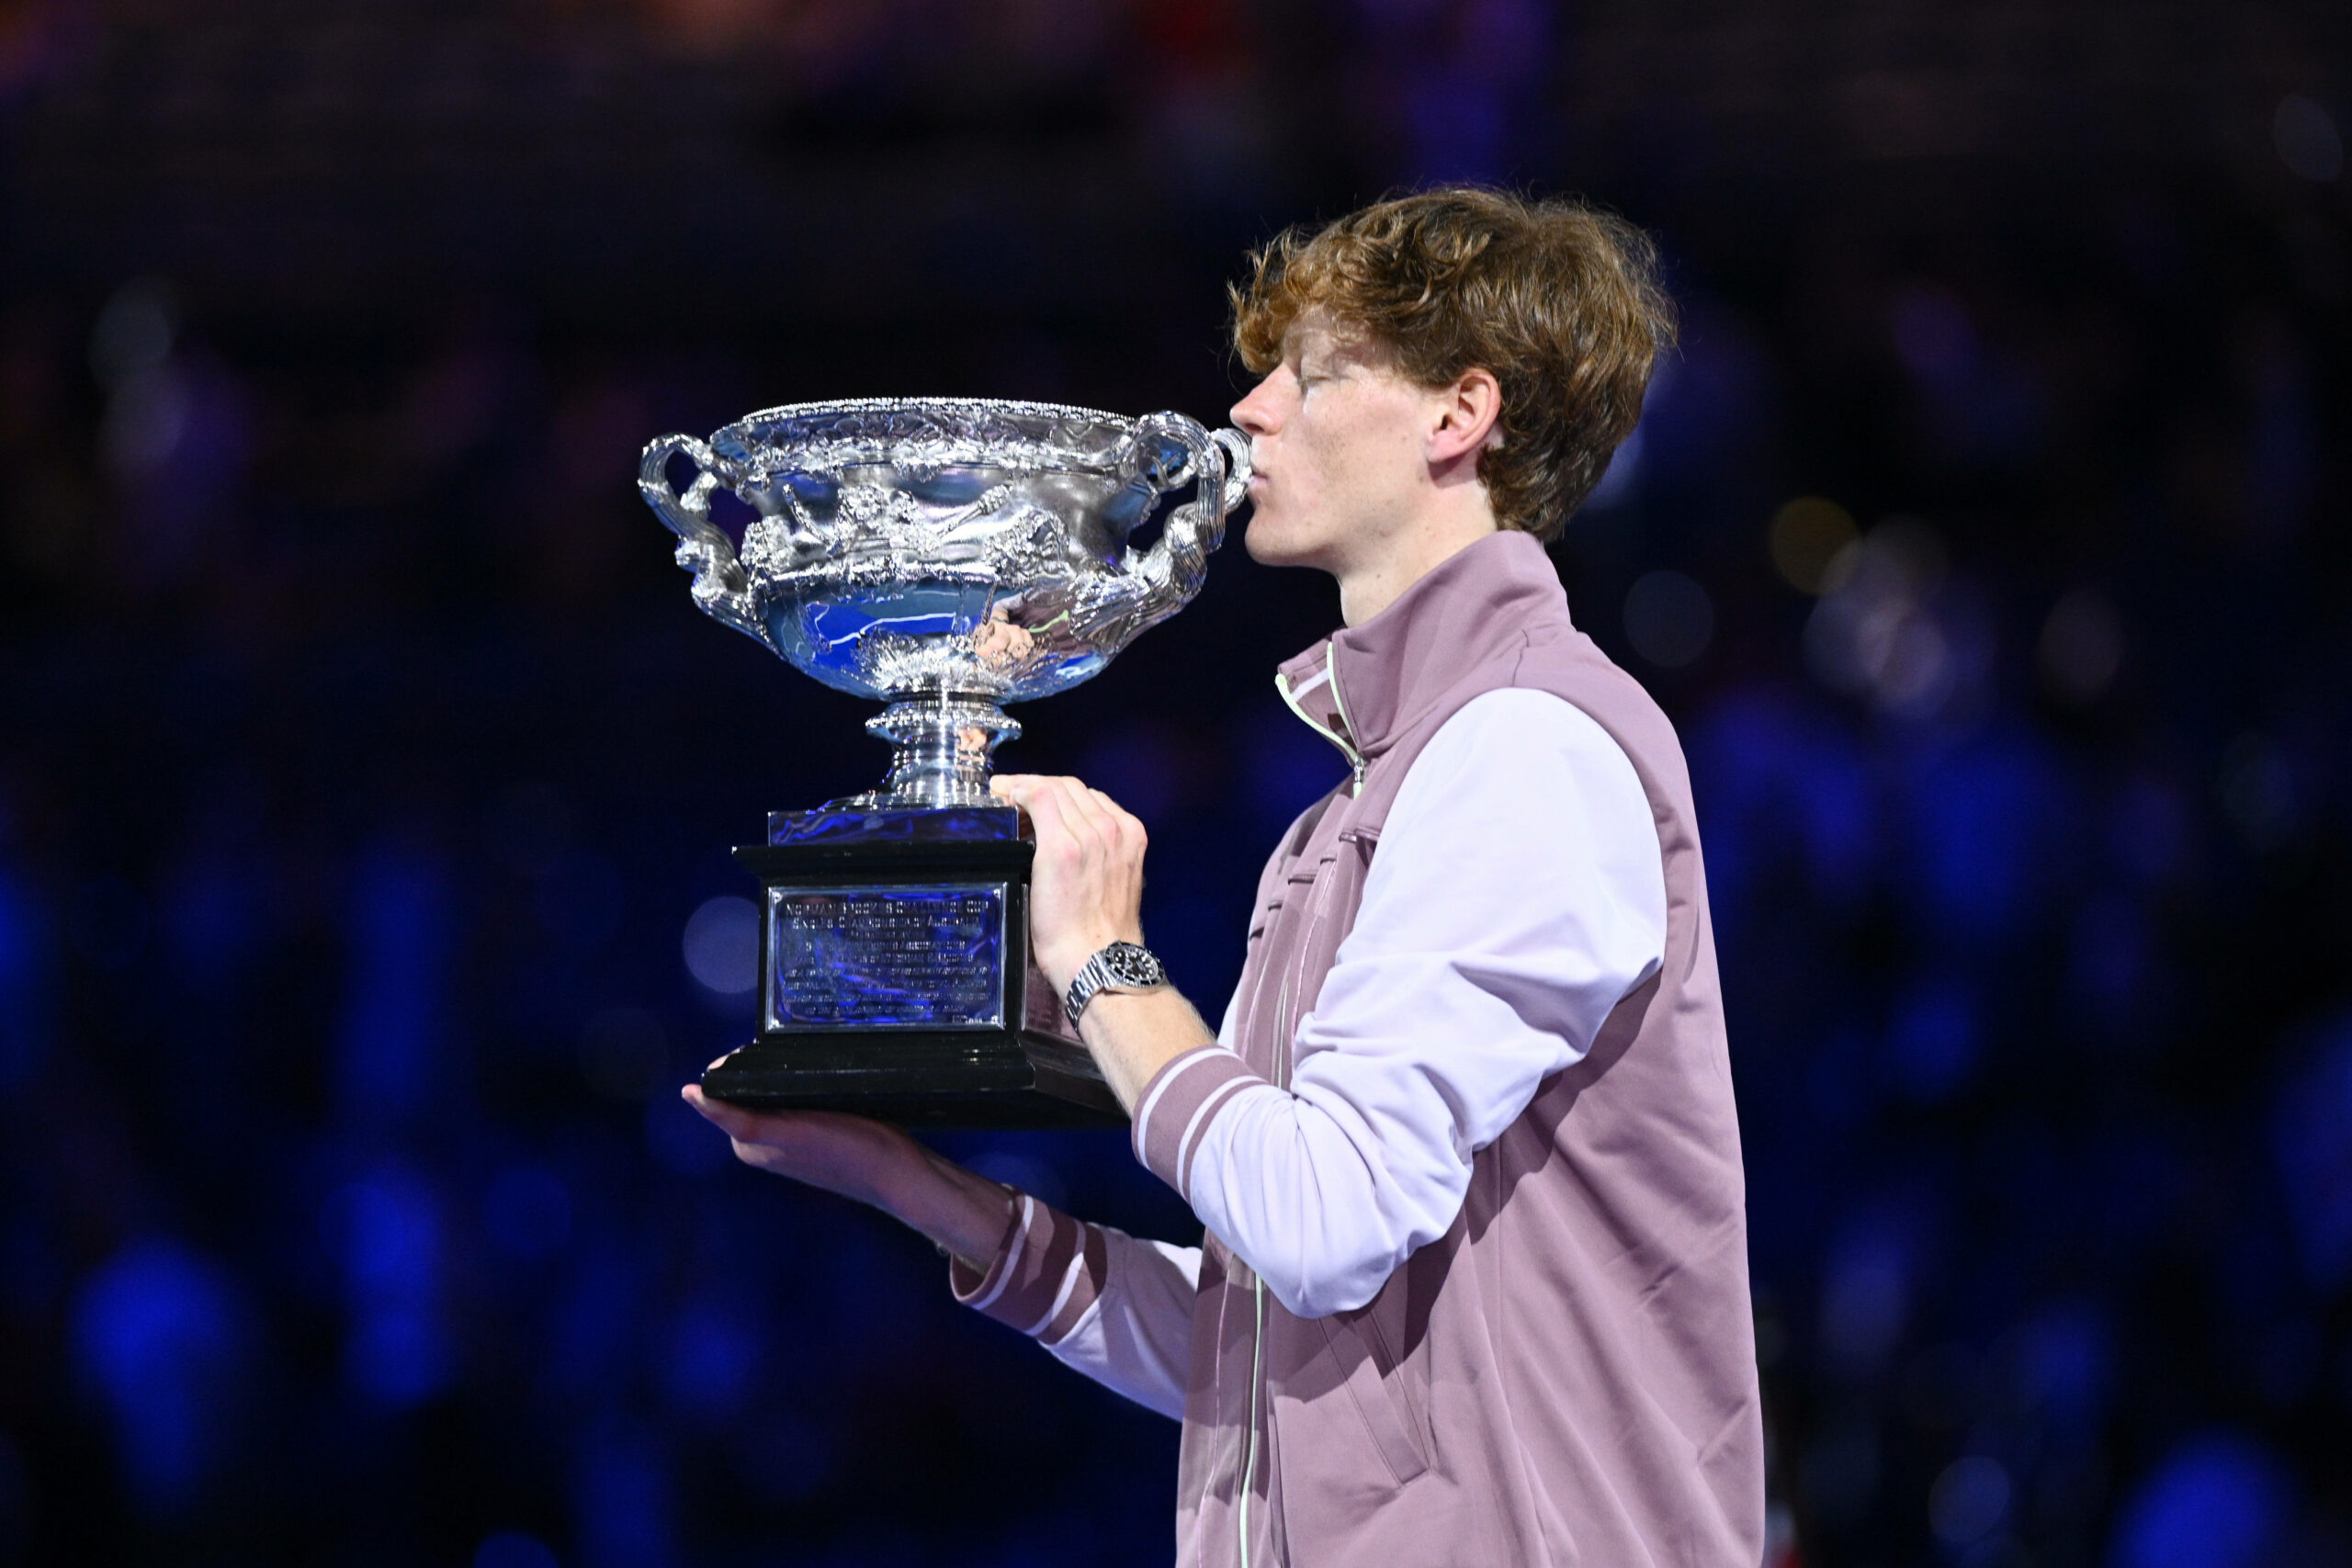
1516 899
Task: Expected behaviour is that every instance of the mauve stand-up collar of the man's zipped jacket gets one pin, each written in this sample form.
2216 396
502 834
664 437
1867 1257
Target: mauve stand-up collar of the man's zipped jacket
1368 683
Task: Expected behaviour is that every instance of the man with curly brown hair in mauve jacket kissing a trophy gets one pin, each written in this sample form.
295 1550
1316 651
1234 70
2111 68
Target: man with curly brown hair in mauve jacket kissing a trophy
1474 1285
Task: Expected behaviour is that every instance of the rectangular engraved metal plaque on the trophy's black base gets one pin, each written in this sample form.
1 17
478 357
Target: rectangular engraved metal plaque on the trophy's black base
886 958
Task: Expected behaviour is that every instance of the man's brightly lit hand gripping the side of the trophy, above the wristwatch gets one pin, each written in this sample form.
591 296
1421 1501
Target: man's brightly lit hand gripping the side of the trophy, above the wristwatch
1088 883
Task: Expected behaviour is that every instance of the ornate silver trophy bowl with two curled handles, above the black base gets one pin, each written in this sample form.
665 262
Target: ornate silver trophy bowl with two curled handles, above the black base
949 554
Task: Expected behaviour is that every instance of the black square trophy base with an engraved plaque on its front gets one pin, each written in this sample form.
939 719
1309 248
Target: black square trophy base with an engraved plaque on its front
895 977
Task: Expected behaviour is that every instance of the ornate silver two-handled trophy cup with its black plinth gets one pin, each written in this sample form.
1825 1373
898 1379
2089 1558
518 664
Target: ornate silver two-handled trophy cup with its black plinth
944 556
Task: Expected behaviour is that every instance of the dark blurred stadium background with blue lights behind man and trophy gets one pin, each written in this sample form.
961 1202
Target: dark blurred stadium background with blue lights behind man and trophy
368 775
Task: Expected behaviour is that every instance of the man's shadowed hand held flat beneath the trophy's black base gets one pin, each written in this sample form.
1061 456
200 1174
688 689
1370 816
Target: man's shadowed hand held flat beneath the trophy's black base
874 1165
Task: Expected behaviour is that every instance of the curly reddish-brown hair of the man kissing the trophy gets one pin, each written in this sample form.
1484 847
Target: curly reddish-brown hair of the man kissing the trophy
1556 300
